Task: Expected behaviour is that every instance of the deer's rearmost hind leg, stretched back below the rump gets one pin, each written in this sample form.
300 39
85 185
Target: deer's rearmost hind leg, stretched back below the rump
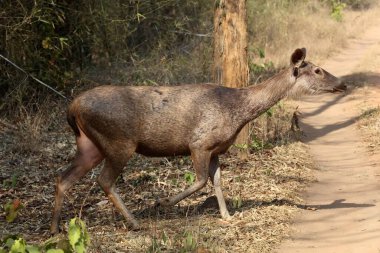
86 158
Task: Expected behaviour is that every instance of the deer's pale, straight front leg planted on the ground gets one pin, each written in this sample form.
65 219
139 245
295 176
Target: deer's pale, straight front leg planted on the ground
214 172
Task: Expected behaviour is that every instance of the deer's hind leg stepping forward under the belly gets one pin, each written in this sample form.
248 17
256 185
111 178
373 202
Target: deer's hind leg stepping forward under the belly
106 180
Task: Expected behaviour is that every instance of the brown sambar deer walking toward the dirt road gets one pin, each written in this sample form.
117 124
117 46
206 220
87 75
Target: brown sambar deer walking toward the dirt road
202 120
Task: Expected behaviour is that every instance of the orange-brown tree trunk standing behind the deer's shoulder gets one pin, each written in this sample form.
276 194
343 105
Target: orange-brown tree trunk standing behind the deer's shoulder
230 53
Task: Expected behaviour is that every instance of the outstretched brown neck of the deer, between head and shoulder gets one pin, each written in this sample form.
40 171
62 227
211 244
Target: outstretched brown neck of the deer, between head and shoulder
259 98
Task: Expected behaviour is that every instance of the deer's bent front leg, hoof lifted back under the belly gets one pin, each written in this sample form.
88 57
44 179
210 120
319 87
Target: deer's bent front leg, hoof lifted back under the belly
201 161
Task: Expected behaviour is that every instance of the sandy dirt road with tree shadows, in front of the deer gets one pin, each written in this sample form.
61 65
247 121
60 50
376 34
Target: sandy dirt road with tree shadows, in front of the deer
342 211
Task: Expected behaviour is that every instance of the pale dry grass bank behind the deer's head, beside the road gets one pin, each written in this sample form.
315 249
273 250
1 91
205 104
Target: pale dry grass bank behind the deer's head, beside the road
307 24
